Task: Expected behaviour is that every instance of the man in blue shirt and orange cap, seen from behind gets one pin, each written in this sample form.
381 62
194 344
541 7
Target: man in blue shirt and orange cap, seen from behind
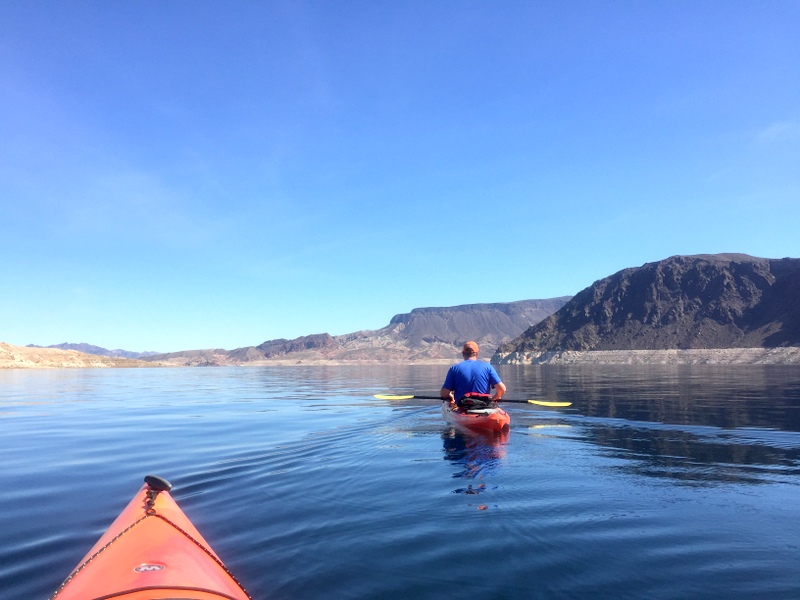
469 383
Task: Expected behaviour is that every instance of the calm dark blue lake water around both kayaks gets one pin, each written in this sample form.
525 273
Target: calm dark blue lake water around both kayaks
658 482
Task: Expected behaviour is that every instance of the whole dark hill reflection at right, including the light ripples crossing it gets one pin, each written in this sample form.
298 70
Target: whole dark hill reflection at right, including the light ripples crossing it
696 425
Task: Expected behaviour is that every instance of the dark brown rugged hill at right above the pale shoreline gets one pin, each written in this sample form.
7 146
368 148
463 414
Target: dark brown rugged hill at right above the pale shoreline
683 302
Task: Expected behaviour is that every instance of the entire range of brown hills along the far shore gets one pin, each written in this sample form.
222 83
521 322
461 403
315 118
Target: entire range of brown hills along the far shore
704 308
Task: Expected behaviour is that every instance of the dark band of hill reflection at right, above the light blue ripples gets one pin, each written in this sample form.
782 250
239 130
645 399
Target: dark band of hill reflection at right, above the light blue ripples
766 396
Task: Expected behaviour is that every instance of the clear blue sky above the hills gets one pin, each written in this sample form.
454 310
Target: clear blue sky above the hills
181 175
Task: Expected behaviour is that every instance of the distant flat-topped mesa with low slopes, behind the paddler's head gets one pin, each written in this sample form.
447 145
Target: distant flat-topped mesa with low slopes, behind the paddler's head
423 335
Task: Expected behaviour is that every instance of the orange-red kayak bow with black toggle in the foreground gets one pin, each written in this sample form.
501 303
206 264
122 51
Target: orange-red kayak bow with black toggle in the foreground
152 550
